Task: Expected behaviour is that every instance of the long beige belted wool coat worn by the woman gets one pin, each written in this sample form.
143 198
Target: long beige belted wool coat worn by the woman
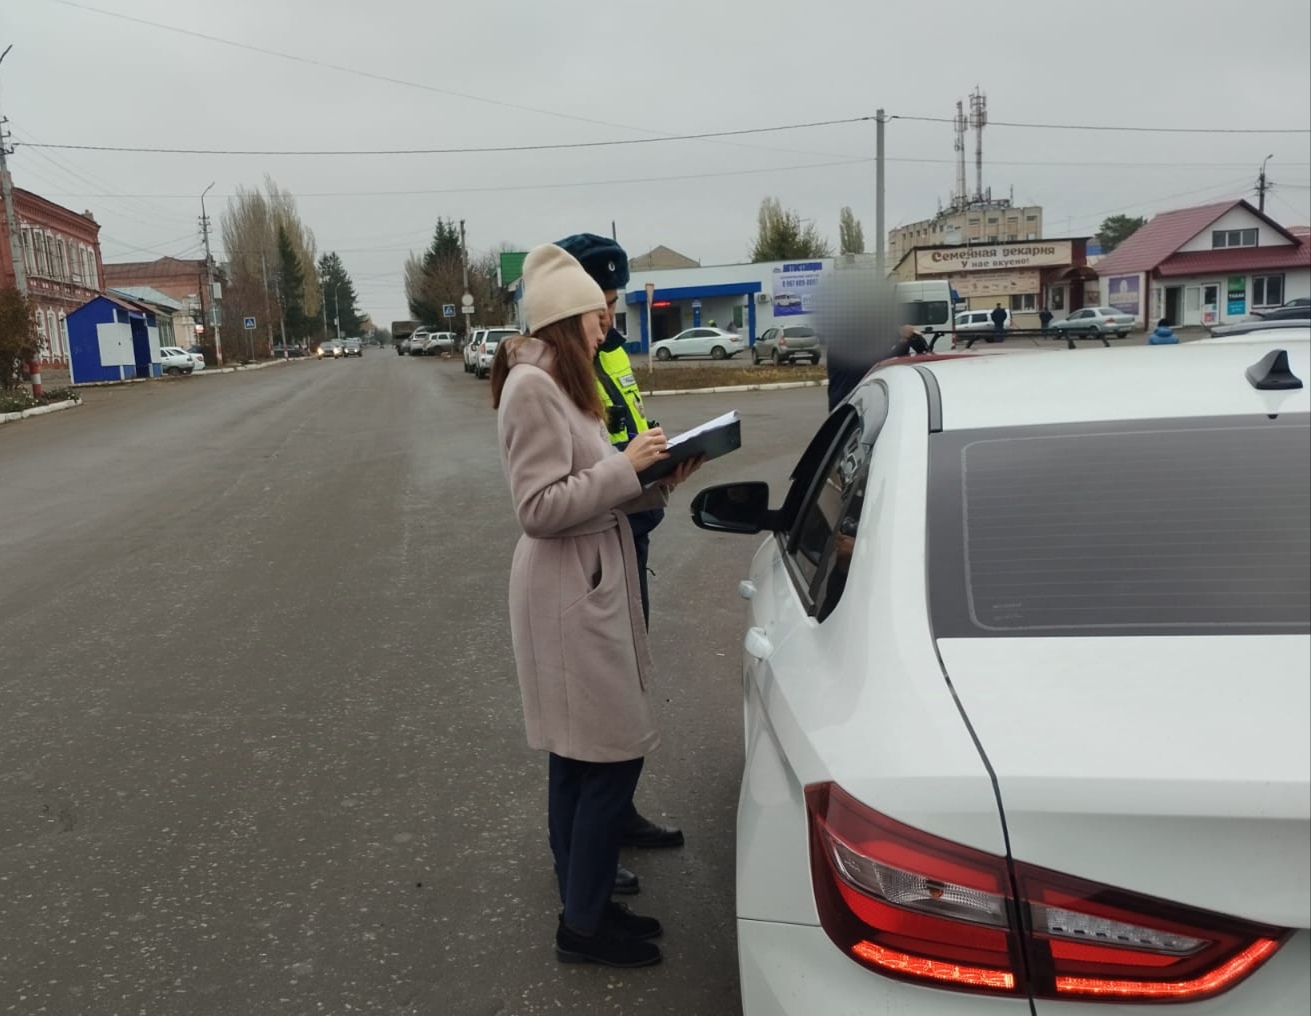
576 614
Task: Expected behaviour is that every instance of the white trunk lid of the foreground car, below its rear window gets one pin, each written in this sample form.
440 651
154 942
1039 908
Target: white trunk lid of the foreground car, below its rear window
1179 768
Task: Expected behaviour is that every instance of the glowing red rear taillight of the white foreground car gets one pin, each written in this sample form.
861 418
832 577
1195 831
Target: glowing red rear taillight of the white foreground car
918 908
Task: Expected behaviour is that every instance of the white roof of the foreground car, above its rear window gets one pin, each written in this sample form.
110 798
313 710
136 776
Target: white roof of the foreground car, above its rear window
1049 387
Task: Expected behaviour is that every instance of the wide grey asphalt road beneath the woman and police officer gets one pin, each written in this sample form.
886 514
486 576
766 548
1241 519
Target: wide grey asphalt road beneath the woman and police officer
262 748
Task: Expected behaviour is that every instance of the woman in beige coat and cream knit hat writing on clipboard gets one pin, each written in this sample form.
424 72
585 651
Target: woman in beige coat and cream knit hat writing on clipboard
576 615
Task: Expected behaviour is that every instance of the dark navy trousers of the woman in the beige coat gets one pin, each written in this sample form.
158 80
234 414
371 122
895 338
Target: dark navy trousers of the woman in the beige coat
587 808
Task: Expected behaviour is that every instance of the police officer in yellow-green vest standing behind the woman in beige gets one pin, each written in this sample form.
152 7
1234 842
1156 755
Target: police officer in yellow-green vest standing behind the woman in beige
626 418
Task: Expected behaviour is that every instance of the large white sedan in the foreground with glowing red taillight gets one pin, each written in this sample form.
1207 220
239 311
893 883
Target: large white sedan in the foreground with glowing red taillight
1027 699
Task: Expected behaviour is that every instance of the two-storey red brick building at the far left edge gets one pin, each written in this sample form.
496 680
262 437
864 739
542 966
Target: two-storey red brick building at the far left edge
64 265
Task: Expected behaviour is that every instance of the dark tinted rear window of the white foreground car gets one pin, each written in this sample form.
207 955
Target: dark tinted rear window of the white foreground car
1184 528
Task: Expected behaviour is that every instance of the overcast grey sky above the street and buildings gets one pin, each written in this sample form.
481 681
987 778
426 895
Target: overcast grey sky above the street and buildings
524 73
